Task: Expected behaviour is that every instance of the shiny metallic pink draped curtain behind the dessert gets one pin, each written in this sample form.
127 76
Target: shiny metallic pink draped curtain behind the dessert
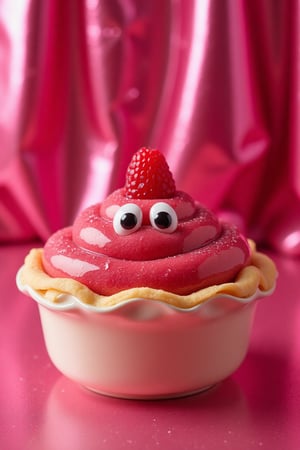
213 84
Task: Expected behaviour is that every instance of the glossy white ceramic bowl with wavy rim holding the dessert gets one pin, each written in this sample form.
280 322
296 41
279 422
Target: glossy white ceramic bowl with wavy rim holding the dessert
143 348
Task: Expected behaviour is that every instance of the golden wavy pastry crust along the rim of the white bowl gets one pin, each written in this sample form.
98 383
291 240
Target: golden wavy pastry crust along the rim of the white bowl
260 274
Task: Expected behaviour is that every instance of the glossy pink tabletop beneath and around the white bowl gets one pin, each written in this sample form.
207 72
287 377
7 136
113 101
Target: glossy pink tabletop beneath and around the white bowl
257 408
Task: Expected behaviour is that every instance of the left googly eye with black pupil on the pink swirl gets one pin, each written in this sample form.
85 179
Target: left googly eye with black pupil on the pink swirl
127 219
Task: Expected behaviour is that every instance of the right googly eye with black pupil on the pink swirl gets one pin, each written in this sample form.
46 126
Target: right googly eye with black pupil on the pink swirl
163 217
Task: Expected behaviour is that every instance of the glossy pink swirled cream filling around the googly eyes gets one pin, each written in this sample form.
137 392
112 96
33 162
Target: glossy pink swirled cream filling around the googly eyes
200 252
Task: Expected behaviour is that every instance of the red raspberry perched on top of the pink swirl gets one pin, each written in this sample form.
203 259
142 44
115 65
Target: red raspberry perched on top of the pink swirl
148 176
